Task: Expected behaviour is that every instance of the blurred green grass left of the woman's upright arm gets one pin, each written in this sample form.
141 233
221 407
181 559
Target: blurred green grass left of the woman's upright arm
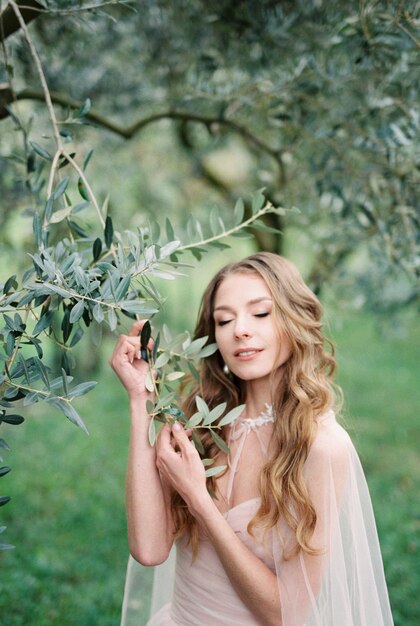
67 516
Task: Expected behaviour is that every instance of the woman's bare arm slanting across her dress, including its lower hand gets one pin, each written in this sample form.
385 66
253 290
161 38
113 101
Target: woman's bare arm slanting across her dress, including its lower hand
253 581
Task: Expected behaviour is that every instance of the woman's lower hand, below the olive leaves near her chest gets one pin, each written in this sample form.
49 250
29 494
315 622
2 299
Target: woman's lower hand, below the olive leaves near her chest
183 469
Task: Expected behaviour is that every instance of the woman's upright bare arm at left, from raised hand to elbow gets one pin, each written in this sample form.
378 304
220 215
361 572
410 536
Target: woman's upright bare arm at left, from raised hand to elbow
149 517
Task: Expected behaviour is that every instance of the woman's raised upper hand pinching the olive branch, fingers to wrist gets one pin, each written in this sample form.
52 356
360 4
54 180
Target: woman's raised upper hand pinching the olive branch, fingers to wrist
127 363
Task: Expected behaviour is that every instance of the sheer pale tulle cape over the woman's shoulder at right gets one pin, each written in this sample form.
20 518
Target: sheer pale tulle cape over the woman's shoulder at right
344 584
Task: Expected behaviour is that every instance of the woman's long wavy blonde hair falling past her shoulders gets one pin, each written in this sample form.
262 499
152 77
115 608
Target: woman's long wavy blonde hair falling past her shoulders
305 391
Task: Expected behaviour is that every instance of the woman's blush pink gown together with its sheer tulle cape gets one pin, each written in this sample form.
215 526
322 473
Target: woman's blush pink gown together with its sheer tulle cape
342 585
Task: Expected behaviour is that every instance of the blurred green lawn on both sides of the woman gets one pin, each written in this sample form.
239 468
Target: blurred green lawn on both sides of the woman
67 515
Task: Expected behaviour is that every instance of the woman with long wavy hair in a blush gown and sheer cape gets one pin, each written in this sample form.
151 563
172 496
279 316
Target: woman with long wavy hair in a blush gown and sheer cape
286 535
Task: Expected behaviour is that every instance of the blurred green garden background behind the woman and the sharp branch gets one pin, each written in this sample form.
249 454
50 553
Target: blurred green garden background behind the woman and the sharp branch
188 106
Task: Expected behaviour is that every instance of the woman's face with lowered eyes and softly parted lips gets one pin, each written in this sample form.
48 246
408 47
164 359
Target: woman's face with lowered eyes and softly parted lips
247 337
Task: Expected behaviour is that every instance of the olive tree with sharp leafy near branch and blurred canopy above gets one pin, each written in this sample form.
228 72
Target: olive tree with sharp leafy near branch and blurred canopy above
320 98
